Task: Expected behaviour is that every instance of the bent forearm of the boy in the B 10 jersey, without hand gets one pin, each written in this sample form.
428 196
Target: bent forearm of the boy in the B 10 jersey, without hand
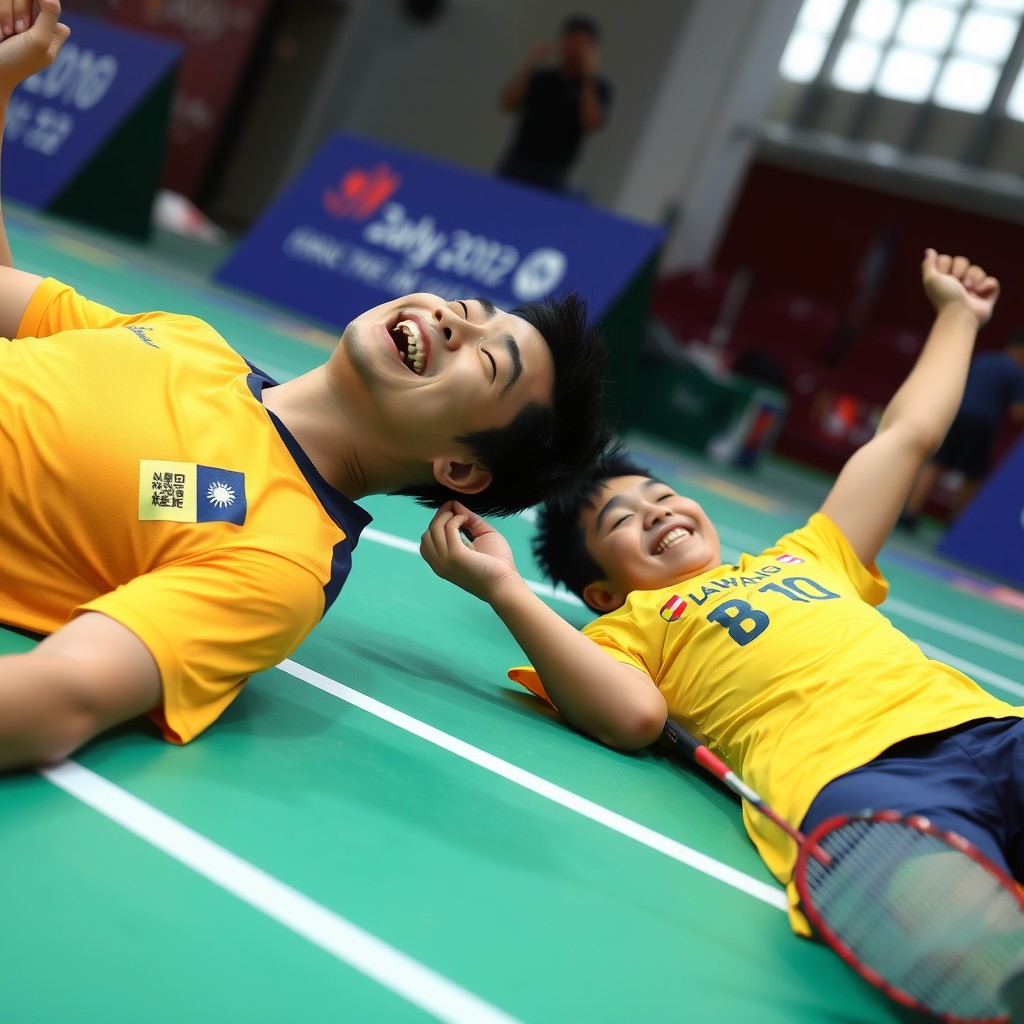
604 698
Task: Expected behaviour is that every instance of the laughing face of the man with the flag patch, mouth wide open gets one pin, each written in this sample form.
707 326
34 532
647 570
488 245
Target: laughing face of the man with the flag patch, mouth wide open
428 370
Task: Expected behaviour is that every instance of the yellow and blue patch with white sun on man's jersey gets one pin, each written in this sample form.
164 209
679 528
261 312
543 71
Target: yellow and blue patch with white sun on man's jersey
187 492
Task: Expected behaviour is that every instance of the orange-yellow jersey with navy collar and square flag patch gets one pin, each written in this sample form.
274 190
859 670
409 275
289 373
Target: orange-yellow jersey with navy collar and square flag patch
144 479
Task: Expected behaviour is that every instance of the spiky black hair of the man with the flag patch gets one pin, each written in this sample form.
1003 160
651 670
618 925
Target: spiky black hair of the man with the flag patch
547 448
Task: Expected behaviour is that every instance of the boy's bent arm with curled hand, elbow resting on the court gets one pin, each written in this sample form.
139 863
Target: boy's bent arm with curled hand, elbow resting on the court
612 702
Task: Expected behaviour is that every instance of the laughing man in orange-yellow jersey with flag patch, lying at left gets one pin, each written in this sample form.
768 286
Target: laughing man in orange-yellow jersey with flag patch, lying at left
176 521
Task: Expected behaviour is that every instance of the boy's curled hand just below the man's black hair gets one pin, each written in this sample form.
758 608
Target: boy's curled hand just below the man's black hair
481 568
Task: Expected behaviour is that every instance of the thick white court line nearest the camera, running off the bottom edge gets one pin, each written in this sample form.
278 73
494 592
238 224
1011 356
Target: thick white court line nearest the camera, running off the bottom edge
389 967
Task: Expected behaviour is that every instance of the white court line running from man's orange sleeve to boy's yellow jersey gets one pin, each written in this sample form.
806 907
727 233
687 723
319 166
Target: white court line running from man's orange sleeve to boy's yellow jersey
566 798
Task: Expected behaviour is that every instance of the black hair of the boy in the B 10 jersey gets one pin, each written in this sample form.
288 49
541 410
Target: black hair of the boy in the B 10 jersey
560 546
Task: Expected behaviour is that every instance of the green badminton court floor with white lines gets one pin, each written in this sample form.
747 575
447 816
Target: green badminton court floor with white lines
385 829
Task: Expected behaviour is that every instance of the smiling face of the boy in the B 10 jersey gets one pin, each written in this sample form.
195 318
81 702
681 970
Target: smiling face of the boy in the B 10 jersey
645 536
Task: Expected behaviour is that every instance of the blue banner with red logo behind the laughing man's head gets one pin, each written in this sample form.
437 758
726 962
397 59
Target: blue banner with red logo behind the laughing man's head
365 223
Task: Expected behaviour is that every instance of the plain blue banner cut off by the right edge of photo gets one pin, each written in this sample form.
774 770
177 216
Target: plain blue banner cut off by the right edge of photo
990 533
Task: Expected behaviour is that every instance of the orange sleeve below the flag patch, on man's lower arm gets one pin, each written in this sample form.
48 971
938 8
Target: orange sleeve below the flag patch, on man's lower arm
210 624
